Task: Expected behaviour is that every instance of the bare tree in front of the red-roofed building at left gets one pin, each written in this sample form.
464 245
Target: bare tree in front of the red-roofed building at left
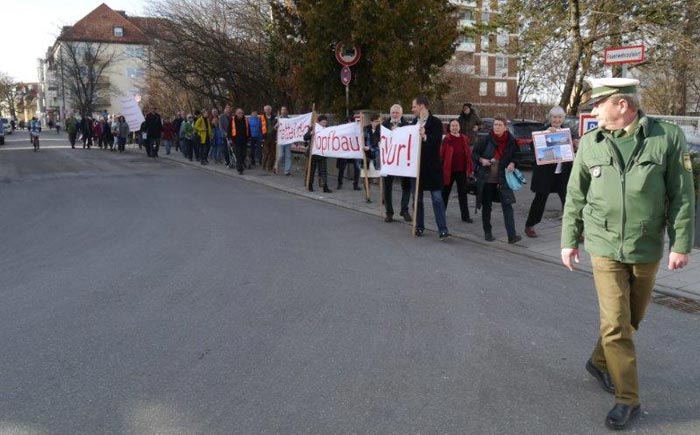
84 65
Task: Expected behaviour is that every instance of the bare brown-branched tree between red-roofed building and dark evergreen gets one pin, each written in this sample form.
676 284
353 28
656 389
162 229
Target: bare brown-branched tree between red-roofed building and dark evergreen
216 50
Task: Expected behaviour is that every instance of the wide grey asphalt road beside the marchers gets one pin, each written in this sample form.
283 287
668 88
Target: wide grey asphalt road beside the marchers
144 297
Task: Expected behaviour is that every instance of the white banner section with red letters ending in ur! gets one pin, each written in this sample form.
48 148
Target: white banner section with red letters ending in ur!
399 151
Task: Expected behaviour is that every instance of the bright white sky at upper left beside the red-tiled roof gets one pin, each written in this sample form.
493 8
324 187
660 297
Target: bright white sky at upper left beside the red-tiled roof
29 27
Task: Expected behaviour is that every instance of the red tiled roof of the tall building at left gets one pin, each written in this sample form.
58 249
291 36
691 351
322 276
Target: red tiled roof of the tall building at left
98 26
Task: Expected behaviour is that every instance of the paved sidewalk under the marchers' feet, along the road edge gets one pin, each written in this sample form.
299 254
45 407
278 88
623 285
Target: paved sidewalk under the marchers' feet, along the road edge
545 247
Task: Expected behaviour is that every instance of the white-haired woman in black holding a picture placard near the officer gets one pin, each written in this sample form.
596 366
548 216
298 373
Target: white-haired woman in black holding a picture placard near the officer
547 179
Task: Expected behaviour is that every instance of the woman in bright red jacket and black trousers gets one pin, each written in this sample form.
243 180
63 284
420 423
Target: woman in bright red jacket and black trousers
456 157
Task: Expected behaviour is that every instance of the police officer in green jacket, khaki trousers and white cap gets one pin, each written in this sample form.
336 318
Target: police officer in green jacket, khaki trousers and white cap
631 180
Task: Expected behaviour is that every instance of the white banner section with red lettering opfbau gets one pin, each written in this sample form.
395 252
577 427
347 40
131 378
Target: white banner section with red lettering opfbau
341 141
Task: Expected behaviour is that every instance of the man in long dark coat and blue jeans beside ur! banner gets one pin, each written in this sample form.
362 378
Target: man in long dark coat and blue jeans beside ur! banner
430 175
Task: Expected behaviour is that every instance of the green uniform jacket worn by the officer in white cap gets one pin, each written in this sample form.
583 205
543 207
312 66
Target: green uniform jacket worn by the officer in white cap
624 213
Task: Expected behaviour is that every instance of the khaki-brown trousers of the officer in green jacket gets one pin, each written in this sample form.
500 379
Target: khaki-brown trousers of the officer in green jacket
624 291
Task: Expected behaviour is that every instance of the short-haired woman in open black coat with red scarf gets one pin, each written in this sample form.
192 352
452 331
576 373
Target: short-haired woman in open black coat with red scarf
495 155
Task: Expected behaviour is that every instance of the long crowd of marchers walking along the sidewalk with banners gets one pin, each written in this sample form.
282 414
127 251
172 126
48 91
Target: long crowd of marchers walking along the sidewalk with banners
476 164
